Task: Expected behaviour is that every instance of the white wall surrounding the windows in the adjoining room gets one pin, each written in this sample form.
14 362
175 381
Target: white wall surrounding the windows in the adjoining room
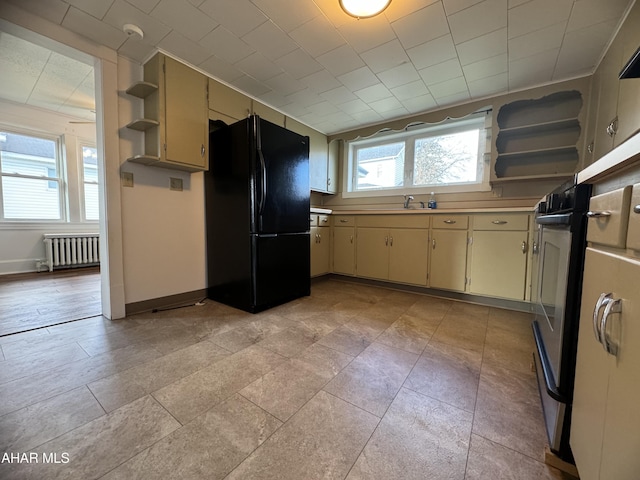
22 245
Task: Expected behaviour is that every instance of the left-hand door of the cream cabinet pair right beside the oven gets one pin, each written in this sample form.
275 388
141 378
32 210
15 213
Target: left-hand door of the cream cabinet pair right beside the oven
592 371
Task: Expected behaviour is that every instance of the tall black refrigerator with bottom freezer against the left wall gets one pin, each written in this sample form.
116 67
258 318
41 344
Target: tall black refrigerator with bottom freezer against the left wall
257 215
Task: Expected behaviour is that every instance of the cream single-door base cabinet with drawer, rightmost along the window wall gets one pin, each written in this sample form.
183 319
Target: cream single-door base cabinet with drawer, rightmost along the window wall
498 263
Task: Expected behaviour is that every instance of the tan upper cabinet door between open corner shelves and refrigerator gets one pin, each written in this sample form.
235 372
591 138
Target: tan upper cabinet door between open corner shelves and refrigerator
186 116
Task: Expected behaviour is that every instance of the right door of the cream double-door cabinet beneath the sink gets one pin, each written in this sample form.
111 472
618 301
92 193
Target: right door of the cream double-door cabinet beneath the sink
408 254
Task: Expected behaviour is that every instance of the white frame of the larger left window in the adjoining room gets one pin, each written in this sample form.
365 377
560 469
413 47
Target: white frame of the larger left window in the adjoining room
60 179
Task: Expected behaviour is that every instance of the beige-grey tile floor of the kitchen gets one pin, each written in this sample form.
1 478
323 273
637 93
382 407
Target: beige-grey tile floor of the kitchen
354 382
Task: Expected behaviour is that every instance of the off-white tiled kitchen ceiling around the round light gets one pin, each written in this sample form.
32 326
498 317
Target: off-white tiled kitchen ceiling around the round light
310 60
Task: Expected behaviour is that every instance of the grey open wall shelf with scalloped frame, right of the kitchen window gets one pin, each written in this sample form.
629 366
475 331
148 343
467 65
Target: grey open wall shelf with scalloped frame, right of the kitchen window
538 139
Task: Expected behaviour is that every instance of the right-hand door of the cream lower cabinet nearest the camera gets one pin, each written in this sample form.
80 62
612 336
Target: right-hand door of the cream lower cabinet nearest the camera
621 439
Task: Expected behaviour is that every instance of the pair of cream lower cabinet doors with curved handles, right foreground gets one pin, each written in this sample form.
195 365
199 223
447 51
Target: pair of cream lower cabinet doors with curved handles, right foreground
605 430
